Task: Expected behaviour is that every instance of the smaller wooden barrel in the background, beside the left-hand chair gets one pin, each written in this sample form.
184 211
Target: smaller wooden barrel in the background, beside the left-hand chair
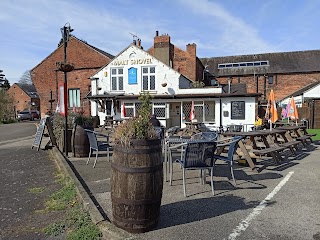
81 146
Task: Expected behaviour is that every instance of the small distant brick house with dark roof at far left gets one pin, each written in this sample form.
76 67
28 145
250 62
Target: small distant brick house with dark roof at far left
25 97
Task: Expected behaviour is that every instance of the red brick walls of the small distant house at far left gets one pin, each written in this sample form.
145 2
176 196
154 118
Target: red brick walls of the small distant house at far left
21 100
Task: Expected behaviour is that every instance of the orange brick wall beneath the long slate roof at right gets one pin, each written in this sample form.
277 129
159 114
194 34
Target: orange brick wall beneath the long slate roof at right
283 84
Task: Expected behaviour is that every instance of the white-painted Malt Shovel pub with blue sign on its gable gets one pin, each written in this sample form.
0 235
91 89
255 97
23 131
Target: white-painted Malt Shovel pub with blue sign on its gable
133 71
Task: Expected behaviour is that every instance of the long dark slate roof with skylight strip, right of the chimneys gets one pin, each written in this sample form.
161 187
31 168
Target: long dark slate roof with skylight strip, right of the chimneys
282 62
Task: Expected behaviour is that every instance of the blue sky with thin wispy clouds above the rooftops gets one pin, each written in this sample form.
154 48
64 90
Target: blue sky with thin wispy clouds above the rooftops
30 29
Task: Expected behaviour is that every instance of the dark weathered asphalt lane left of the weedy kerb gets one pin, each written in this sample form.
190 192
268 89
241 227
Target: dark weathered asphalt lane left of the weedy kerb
23 172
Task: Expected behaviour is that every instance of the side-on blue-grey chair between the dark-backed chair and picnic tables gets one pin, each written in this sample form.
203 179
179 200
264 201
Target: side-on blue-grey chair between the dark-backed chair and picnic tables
231 144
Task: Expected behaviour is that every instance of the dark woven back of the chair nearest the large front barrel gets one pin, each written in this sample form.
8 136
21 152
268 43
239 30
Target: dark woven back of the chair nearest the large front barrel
199 154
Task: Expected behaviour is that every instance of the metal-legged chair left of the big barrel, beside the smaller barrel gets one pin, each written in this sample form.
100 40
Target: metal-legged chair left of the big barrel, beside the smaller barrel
96 145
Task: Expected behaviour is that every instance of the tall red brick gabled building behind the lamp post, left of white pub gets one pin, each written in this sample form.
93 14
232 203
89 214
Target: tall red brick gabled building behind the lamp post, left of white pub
46 77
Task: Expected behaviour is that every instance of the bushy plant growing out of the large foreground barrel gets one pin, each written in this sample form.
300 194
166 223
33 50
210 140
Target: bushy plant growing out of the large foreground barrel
137 127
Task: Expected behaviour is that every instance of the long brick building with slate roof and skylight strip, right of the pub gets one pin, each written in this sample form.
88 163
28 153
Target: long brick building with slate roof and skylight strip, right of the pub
284 72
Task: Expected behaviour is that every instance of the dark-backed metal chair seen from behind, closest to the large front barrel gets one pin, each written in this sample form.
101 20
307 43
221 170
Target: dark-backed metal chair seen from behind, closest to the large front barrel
197 155
